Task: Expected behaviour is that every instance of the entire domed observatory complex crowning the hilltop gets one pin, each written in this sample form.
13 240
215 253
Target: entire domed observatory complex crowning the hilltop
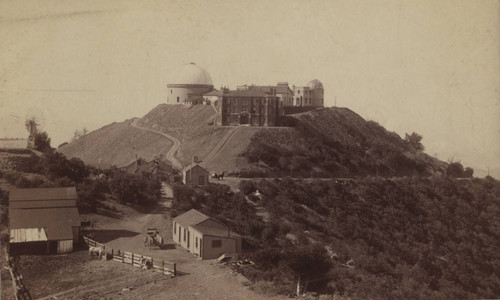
251 105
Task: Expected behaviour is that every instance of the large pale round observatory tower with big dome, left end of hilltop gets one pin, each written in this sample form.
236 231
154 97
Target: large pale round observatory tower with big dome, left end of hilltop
189 86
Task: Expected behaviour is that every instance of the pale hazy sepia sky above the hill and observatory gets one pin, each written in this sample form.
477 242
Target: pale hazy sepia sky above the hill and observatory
432 67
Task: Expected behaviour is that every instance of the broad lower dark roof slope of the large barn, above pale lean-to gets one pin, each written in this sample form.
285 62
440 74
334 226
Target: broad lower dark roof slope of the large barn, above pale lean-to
58 222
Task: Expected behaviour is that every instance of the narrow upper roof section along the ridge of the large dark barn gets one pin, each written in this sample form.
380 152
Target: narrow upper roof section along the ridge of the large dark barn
32 194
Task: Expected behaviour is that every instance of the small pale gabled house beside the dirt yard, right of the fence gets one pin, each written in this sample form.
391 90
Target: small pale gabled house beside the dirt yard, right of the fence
203 236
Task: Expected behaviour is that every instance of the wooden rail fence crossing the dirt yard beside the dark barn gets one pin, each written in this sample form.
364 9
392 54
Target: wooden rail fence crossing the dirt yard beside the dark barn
160 266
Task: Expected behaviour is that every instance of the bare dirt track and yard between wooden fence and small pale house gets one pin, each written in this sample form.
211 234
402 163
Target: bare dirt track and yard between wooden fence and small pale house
198 279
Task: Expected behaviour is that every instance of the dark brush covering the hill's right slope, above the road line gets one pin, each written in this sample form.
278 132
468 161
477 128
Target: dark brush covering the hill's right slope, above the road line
337 142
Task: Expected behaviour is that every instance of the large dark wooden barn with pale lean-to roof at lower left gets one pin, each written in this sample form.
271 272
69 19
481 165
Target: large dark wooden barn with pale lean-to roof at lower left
43 220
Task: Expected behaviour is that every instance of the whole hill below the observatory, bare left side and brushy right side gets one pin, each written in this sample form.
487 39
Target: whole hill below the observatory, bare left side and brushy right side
319 143
